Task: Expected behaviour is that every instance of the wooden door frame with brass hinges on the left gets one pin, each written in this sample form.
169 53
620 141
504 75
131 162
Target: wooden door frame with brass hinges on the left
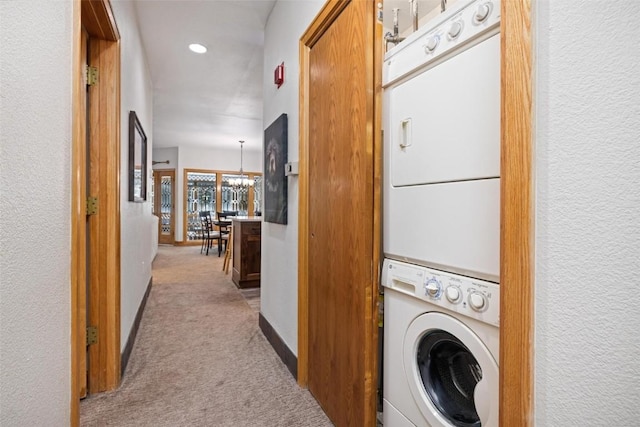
96 16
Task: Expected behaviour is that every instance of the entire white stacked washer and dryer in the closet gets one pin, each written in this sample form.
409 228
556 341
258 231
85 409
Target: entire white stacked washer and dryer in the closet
441 222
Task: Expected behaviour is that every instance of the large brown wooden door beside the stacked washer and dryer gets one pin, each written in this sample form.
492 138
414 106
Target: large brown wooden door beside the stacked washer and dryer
340 228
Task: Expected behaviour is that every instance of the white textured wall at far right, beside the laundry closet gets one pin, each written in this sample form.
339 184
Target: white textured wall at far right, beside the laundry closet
587 138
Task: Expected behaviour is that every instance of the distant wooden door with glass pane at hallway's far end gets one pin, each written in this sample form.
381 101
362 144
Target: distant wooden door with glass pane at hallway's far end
164 188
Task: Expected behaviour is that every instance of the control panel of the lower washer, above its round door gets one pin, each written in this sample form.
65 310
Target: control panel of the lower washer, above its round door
468 296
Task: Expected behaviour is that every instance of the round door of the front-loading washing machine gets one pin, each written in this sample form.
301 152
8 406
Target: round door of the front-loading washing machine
451 373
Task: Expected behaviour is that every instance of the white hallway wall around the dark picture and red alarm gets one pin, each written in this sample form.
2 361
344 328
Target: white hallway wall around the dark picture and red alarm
279 268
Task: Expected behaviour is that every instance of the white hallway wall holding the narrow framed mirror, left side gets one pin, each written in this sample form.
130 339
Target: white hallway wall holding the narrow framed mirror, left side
139 229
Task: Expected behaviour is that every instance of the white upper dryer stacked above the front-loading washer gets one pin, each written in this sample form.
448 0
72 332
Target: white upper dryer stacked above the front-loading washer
441 119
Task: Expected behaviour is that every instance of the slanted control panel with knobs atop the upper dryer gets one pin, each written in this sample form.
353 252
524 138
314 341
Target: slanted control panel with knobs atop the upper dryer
463 23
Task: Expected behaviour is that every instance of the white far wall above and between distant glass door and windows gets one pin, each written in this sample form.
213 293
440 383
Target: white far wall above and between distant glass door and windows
193 157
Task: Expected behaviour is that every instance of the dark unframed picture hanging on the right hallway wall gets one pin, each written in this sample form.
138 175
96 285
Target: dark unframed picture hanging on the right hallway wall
275 181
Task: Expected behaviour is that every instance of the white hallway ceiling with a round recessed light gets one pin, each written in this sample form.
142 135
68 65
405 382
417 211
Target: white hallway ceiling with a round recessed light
212 99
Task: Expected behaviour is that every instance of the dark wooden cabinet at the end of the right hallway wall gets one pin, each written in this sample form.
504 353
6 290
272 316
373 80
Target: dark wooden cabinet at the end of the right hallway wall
246 252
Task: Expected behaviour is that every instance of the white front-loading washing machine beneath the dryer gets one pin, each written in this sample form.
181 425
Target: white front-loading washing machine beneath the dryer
441 342
